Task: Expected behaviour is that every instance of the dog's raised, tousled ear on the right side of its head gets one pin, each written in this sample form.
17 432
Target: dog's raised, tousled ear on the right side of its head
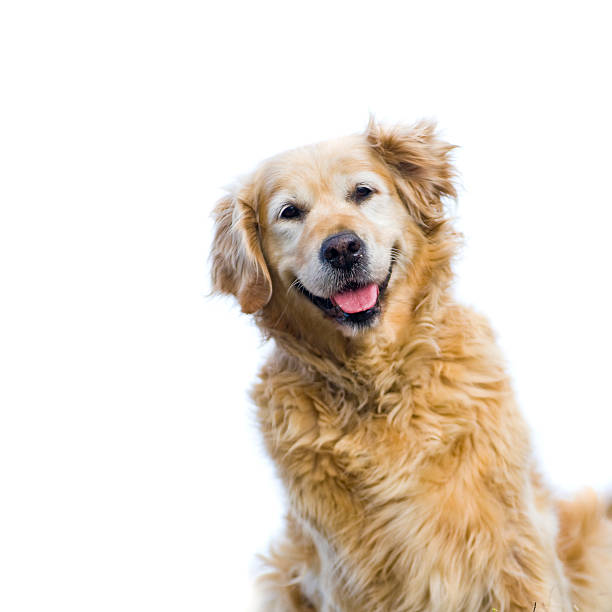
420 163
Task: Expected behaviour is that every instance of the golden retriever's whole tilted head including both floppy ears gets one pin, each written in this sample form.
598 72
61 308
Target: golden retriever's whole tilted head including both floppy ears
337 233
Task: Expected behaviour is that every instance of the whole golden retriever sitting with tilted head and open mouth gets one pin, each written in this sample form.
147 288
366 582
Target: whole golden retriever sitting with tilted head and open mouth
386 406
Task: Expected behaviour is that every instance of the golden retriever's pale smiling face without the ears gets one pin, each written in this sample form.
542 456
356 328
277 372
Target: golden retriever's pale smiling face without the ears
331 224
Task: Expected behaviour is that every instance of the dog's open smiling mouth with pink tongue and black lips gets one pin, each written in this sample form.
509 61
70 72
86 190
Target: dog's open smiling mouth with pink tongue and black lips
356 304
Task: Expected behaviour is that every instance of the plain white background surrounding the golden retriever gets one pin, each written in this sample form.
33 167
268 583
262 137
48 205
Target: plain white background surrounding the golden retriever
131 473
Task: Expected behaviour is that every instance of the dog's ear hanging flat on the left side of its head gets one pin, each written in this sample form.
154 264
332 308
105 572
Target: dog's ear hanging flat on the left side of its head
238 264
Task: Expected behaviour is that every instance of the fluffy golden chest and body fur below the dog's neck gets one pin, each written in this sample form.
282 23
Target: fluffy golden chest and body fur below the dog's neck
416 489
